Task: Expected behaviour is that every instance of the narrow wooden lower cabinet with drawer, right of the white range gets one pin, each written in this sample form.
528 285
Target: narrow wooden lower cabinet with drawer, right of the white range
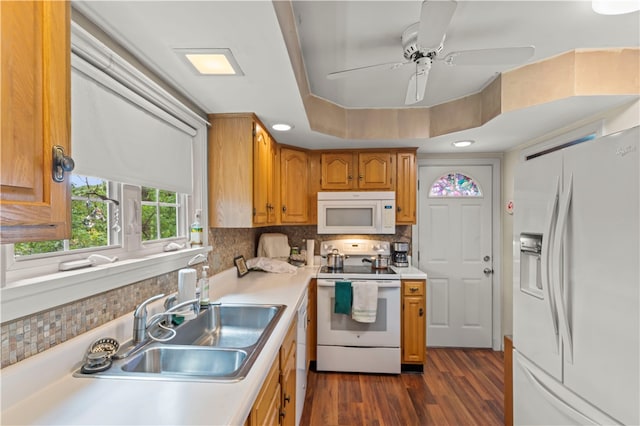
413 323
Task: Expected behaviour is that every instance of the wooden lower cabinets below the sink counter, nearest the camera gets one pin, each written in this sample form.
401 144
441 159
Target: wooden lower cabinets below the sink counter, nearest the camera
276 401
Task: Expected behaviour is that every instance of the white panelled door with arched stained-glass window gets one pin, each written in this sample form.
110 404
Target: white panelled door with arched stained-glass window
455 249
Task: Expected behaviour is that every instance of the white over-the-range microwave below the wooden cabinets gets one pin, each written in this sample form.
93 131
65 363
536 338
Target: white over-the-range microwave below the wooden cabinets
357 212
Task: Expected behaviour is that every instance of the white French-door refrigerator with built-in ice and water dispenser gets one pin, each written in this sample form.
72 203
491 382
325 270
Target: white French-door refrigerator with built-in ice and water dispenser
576 298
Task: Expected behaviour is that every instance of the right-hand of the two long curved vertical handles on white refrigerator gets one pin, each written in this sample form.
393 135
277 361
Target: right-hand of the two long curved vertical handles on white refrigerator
558 286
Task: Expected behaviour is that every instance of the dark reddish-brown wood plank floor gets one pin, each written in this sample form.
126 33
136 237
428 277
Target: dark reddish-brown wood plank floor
458 387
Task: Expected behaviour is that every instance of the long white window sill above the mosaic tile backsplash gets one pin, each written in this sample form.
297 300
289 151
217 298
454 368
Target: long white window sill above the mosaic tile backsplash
28 296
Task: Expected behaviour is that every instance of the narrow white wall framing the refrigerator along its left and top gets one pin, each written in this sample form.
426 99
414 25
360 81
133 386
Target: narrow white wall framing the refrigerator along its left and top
613 121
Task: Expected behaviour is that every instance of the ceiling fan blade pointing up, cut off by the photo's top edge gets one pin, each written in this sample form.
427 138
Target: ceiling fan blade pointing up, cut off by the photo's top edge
435 17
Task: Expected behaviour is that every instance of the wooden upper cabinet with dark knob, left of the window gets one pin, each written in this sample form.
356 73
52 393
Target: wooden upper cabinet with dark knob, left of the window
35 117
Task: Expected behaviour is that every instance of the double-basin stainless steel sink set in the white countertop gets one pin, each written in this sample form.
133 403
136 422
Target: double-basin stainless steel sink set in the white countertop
220 344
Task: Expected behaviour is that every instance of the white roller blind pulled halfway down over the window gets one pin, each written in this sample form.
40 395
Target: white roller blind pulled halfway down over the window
119 135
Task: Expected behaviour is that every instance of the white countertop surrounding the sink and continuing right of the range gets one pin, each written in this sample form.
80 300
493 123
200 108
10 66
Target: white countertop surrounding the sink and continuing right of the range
42 389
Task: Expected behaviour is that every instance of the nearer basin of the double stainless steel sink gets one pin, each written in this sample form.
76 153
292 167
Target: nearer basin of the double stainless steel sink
188 361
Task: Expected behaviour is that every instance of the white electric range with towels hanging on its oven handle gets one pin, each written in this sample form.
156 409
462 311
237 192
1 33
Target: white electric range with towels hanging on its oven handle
345 344
